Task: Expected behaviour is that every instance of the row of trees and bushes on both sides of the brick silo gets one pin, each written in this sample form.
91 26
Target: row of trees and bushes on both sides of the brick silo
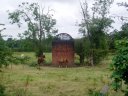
94 45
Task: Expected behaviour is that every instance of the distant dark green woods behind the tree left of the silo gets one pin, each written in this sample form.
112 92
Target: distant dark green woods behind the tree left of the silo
26 45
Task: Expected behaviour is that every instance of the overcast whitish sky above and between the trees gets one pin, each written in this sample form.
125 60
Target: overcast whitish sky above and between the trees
66 12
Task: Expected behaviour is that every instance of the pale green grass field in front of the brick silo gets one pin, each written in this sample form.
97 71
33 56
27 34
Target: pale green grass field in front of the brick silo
53 81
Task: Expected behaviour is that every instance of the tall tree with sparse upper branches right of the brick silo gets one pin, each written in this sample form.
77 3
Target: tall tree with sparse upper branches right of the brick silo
94 27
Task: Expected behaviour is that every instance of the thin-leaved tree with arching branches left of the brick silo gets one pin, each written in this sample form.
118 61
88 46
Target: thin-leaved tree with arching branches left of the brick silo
40 25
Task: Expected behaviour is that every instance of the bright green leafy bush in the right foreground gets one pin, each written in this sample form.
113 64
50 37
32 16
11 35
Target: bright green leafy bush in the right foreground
119 65
